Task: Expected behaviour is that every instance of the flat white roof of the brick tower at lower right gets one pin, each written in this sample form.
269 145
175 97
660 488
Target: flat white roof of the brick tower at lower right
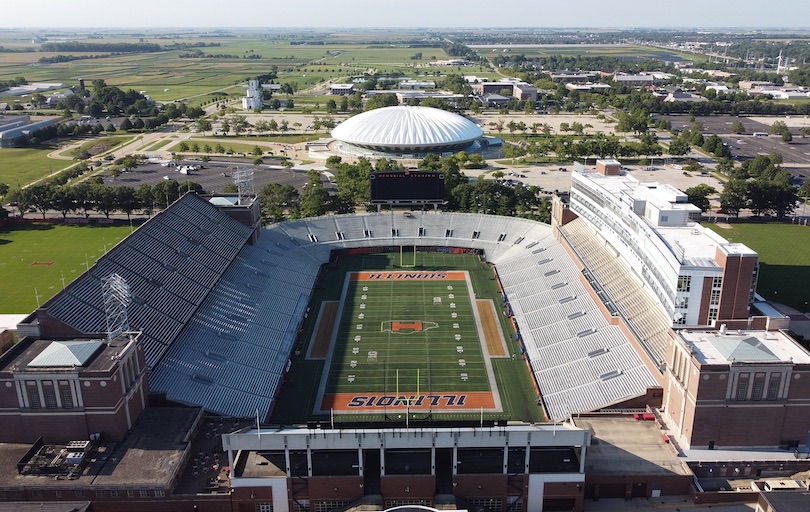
714 347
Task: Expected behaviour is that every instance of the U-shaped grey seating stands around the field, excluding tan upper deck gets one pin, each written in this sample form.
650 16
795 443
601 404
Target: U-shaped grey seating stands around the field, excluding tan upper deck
220 316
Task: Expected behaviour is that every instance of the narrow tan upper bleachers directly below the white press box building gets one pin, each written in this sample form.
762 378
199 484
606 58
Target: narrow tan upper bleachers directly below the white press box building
634 302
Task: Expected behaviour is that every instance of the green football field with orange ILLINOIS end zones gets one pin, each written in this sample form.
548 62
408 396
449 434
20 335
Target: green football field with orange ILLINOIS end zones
408 340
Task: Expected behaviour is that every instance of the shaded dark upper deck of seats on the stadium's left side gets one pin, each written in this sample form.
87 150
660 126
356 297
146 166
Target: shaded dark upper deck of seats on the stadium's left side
170 264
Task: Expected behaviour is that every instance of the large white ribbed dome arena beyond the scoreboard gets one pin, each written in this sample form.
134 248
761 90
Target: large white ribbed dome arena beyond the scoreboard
411 129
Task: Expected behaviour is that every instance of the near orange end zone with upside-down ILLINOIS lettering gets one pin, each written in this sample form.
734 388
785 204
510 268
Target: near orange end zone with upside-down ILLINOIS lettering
444 402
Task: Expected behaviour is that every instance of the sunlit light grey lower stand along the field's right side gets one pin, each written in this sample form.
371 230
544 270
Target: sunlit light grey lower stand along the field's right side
579 361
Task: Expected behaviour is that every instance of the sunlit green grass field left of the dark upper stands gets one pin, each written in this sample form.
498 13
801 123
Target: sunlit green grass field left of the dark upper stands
37 256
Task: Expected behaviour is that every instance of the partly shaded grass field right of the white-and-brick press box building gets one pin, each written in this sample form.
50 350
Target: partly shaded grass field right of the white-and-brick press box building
784 258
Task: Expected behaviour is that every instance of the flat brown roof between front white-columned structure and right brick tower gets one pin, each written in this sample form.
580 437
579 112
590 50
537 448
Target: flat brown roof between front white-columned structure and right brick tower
622 445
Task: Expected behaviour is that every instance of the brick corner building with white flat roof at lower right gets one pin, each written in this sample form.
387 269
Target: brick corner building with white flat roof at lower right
736 389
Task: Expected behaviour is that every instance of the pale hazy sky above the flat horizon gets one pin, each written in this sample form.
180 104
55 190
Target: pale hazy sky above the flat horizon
107 14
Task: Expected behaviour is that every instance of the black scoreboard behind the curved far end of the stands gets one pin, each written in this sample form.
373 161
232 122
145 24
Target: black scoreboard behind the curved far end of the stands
407 187
